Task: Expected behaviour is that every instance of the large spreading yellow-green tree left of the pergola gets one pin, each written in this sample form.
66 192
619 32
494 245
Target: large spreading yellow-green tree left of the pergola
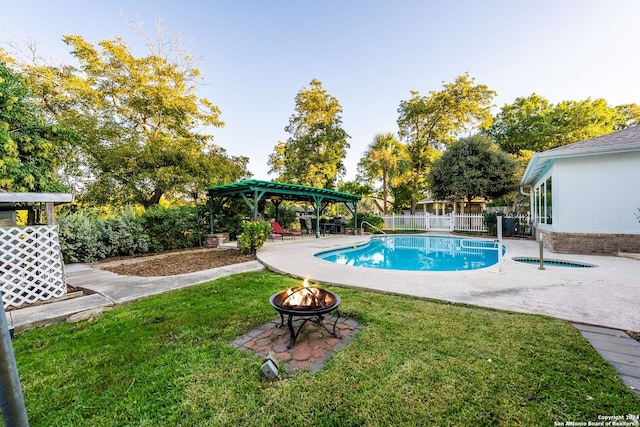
142 122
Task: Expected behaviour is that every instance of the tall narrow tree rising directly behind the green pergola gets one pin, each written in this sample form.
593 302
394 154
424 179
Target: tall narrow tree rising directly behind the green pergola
313 155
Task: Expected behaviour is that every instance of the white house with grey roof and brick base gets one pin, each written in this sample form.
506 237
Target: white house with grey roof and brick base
585 196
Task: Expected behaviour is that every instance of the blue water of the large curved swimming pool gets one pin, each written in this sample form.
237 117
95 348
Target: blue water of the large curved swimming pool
418 253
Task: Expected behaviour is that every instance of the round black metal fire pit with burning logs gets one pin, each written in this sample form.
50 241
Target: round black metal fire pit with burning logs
309 303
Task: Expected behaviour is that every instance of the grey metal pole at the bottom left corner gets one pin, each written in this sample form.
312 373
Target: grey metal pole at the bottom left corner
14 412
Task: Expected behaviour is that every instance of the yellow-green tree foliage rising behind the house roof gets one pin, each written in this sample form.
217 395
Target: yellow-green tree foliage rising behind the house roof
535 124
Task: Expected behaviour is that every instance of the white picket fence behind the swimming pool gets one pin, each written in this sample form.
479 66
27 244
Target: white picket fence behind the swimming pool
430 222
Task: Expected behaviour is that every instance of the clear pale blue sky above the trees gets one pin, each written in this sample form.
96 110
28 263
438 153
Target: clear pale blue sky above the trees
369 54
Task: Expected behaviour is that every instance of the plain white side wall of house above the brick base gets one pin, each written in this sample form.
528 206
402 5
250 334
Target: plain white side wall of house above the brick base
597 194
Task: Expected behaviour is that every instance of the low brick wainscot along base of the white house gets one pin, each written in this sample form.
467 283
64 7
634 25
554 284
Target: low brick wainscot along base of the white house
590 243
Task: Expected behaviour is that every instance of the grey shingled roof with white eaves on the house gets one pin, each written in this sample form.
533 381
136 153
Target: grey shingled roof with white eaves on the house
623 141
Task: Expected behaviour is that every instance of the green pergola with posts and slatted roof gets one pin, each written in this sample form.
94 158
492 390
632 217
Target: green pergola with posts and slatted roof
253 191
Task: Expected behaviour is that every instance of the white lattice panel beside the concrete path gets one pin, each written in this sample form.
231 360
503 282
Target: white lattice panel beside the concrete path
31 267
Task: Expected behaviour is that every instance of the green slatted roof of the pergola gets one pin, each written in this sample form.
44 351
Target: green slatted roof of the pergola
269 189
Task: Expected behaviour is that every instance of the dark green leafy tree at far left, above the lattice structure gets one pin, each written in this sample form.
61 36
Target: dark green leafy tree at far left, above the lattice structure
31 150
